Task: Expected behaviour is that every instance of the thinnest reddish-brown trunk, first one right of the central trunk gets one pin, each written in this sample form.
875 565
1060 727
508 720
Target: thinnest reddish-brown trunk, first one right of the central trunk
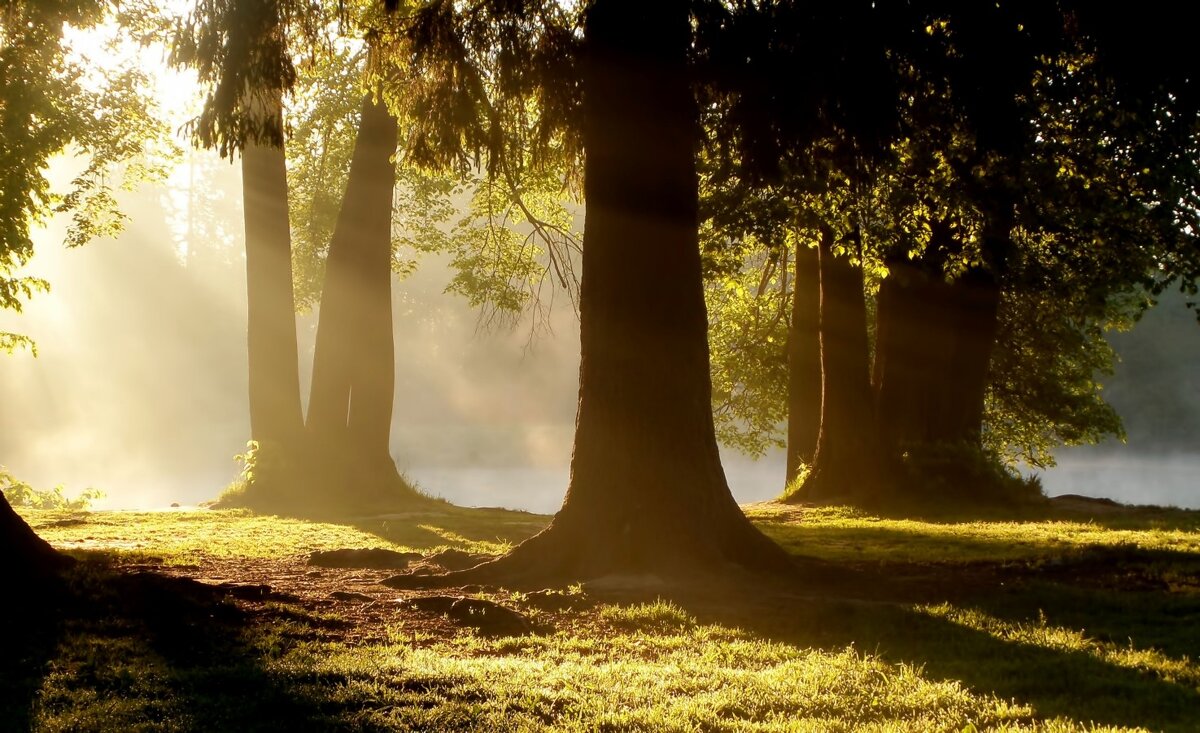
803 364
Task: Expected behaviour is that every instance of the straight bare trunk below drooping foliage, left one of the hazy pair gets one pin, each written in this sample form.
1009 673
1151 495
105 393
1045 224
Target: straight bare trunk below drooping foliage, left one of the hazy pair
275 414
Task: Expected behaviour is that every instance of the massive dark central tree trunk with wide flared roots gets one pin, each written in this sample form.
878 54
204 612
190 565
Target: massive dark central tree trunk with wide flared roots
647 491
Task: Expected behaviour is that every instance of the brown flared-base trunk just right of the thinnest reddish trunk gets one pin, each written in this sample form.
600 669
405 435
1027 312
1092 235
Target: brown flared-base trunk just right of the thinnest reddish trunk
848 461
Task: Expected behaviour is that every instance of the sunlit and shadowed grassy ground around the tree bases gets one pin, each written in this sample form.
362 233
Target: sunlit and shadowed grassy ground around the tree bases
1077 616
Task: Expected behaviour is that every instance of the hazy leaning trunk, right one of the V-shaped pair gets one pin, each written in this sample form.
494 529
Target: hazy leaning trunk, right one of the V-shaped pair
353 378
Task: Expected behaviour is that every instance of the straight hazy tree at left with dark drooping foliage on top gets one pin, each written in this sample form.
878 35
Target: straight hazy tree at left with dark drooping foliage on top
243 55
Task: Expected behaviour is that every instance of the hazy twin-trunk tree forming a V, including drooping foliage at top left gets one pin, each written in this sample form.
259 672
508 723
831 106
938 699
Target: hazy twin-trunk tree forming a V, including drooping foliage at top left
338 456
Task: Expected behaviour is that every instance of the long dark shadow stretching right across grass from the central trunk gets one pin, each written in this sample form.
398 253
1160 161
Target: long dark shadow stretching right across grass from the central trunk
1033 665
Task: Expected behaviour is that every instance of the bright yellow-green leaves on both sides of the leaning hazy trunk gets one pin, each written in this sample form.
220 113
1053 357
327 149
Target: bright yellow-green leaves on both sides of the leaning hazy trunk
509 233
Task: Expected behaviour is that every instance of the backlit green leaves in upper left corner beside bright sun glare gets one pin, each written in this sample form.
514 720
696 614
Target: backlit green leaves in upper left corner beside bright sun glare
57 100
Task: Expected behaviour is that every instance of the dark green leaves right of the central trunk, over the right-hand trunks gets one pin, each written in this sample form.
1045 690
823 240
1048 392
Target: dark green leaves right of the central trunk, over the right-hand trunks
1094 238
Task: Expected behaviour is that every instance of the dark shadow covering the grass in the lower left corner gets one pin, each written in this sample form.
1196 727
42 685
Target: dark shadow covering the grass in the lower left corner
141 652
